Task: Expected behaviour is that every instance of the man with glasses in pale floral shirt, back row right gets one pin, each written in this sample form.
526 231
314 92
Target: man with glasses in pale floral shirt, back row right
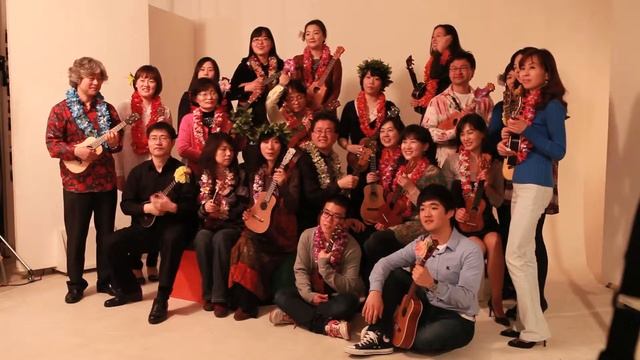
456 101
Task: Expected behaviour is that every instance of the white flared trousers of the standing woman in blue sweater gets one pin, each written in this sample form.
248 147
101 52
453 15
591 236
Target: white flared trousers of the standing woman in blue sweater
527 204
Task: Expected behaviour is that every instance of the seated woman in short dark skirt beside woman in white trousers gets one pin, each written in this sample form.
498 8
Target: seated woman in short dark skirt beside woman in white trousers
468 169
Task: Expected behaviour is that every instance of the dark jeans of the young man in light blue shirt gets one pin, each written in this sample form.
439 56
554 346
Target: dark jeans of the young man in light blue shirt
438 330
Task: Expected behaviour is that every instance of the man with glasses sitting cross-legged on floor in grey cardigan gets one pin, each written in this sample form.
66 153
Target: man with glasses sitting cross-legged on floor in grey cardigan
328 284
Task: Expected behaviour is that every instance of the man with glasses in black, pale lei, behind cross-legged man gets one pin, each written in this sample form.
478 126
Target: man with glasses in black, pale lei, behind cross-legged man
320 169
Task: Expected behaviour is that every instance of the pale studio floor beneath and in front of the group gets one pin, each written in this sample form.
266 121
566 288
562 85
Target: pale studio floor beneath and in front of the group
35 323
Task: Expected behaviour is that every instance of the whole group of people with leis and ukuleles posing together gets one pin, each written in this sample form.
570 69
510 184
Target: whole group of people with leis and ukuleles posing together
287 225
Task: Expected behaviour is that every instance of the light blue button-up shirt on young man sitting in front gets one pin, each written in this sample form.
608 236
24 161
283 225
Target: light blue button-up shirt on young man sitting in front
458 267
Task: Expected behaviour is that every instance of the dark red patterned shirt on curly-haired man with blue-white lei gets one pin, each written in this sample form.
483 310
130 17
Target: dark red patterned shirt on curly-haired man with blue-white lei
62 135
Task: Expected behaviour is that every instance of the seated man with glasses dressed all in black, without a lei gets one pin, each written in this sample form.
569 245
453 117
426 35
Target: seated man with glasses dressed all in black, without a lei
148 193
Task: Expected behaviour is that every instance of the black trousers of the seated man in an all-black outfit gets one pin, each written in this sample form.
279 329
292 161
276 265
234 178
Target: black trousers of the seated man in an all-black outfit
169 237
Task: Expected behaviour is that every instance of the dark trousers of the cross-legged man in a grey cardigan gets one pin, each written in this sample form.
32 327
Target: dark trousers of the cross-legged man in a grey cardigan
315 317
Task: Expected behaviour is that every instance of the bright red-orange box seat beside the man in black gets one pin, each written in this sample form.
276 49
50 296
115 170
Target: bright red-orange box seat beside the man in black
188 284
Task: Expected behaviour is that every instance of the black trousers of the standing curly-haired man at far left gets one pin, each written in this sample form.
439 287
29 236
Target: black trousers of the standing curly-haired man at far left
78 208
